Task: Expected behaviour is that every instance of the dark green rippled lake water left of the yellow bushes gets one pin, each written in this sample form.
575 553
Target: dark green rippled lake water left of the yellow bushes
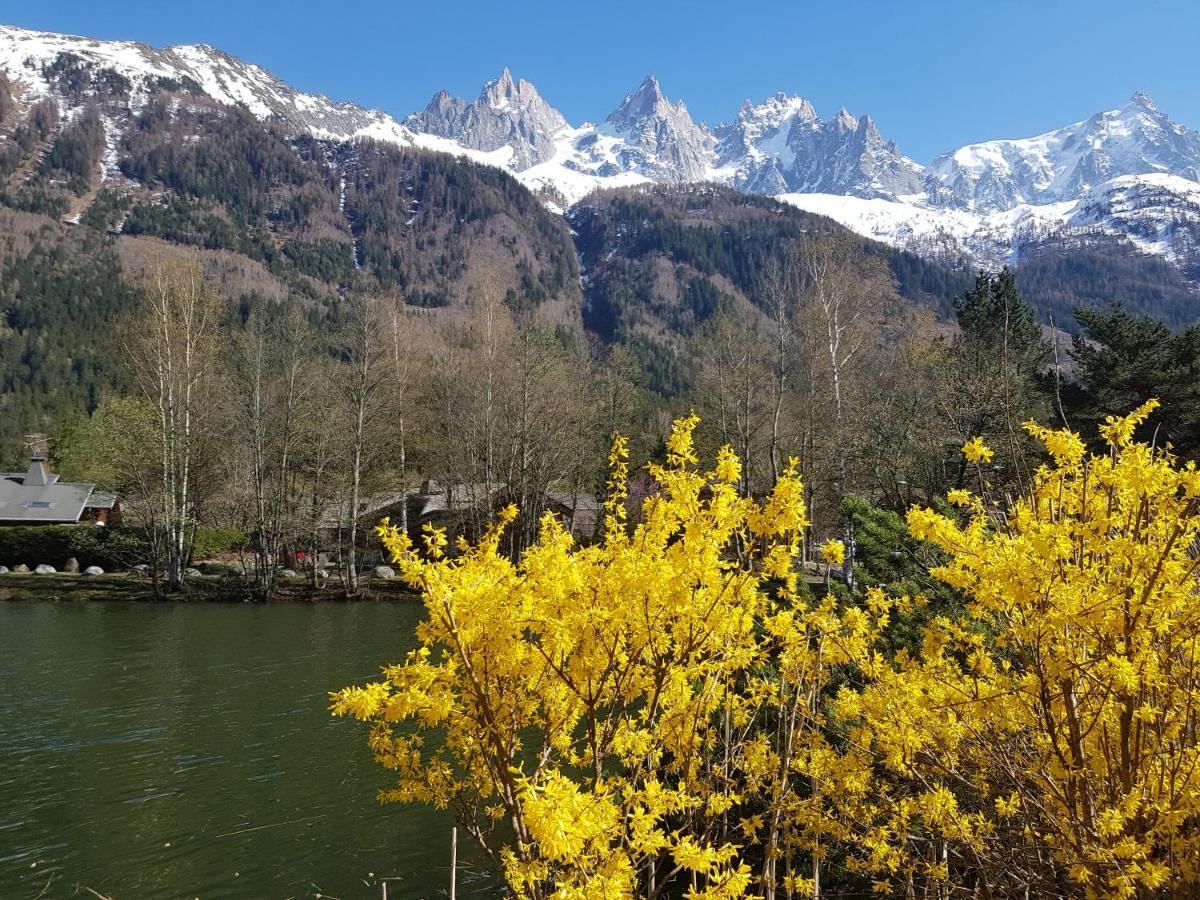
183 751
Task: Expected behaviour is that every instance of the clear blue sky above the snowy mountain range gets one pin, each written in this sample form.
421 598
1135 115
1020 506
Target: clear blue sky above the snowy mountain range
934 74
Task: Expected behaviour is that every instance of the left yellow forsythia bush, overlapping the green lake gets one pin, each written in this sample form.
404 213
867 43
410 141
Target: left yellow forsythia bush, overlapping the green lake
523 655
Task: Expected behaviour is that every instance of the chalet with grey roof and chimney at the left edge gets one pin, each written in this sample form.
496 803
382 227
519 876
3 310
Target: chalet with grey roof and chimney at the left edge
37 497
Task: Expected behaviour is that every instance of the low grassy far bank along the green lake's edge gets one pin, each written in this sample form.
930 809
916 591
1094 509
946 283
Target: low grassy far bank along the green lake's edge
64 587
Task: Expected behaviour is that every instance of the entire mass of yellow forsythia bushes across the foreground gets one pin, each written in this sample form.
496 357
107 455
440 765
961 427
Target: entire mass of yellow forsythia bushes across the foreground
663 712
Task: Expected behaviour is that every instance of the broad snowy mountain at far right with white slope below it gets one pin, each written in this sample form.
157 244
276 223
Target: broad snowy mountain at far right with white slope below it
1130 173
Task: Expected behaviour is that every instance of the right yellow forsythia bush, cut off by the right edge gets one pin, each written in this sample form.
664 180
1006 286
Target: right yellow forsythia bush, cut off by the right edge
1065 706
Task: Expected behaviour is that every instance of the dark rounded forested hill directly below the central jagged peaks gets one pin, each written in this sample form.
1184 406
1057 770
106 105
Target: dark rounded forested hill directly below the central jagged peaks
662 261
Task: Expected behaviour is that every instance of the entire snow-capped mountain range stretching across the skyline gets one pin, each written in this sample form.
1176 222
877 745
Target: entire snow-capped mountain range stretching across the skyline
1130 173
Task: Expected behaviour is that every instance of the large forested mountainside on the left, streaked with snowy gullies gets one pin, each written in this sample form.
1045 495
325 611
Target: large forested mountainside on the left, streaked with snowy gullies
94 202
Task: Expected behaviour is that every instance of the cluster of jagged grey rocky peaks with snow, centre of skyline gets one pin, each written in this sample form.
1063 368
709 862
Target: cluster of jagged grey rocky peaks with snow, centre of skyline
775 147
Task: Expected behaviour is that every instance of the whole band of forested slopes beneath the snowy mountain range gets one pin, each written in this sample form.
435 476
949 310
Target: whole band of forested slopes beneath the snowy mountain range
99 193
